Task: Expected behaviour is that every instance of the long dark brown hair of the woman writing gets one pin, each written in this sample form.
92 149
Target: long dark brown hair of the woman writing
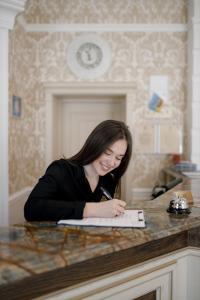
104 135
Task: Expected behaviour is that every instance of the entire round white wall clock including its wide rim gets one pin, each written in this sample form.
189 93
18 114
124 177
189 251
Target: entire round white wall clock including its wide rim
89 56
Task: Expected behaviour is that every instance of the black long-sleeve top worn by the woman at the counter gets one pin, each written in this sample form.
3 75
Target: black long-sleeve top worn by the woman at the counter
63 192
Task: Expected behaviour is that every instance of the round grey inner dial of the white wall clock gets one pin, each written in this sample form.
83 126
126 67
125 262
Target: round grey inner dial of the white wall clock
89 55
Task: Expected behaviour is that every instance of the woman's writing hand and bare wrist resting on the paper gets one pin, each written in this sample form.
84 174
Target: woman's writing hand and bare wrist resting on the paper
105 209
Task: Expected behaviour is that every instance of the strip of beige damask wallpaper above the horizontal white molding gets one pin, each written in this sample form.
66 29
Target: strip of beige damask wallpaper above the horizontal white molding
106 11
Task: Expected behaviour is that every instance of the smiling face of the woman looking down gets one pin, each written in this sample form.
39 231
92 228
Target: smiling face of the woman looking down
111 158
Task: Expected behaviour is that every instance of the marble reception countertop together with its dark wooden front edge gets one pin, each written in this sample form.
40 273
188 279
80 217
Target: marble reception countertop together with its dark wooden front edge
31 254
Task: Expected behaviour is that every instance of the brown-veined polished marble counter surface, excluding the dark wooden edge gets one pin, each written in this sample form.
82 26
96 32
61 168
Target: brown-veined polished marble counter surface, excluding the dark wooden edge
35 248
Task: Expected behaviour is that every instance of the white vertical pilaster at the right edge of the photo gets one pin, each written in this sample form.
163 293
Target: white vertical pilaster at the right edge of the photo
194 81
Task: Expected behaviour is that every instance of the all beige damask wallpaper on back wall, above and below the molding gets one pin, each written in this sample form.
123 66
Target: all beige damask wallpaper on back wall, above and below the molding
39 57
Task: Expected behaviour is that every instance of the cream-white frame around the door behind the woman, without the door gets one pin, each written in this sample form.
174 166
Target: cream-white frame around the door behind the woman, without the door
54 91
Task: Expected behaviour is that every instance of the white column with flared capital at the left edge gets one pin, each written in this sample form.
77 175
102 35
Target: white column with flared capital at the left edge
8 11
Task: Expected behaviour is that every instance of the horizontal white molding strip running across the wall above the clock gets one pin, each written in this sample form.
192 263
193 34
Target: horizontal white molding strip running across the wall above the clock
95 27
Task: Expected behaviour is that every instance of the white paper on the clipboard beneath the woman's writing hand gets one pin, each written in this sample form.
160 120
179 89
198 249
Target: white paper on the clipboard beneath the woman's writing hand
130 218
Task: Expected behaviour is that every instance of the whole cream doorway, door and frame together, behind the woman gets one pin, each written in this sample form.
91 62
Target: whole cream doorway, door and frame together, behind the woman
76 108
